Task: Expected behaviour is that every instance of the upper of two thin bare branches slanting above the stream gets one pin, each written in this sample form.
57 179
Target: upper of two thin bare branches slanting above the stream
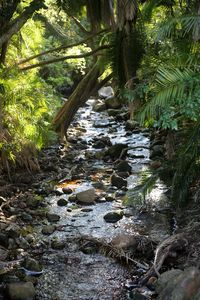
62 47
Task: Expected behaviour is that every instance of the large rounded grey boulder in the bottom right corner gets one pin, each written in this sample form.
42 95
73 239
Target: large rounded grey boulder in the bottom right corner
179 285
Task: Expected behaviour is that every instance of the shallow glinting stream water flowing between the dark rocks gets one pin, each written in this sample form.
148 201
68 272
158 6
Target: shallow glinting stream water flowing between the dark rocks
71 274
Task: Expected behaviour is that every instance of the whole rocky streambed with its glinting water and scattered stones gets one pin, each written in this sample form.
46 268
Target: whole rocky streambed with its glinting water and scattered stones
74 230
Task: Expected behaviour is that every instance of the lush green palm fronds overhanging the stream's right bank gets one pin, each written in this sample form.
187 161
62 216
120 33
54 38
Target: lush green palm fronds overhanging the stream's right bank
171 87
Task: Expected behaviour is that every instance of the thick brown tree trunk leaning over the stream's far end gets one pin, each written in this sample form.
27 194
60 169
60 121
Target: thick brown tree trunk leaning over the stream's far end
88 85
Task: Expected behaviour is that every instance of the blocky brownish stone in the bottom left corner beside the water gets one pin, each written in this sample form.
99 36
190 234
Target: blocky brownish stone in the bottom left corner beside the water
20 291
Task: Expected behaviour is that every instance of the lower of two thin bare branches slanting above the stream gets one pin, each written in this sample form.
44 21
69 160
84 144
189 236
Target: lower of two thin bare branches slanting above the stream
54 60
